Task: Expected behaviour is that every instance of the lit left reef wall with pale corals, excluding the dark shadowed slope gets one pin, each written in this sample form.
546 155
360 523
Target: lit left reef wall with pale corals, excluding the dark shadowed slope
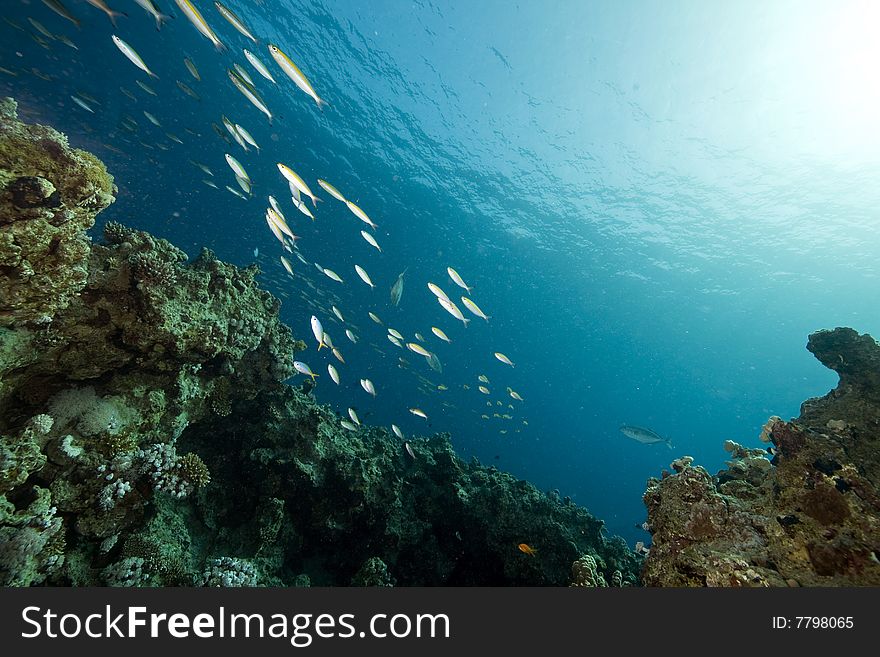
107 353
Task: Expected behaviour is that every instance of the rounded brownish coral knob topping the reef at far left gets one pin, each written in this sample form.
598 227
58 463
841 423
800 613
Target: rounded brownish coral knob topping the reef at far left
50 196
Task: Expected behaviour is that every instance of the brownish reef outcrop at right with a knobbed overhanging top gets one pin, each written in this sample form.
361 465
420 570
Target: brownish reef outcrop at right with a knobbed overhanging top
803 512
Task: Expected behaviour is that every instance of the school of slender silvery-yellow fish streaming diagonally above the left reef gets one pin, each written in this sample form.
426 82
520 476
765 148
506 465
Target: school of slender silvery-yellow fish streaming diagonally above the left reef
223 30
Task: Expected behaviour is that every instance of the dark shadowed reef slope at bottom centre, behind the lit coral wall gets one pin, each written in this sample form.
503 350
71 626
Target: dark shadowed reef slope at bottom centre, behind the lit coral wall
353 508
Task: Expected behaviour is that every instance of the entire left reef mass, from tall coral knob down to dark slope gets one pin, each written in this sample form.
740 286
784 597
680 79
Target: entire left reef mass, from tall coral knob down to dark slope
148 435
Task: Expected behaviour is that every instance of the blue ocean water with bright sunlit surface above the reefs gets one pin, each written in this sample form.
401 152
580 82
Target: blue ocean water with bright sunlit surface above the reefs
654 202
